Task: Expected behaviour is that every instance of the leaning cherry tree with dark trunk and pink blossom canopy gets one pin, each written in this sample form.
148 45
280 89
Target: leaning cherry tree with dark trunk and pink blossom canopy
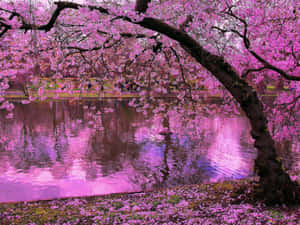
234 48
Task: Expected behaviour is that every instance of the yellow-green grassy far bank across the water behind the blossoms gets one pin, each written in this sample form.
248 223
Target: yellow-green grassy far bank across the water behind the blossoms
57 89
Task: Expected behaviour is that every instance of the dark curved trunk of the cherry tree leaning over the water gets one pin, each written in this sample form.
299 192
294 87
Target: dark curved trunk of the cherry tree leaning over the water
275 184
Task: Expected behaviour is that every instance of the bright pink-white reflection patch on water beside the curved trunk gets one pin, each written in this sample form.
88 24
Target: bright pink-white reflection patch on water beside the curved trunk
225 152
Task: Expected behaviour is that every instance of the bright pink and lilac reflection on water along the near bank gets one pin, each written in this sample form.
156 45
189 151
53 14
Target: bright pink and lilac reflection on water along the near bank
40 183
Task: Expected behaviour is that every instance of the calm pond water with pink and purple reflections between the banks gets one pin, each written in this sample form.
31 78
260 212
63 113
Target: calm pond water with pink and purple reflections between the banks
59 149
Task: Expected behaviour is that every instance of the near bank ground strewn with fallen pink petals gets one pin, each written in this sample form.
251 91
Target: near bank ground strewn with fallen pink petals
190 204
